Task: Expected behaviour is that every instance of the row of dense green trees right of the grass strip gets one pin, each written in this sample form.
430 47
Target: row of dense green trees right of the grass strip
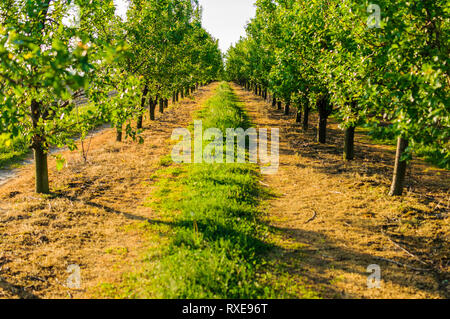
385 65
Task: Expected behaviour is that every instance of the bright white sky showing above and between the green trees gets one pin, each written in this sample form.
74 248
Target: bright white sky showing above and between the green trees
224 19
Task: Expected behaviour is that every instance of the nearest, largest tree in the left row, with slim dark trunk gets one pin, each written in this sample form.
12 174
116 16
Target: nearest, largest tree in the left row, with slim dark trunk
43 67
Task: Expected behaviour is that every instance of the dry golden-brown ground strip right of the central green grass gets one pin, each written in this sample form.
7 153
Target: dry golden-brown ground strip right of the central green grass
334 219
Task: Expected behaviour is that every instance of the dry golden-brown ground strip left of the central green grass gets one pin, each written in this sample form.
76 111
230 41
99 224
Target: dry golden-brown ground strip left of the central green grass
88 220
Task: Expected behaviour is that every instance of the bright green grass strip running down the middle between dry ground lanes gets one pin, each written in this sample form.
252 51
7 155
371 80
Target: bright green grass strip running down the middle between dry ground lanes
218 247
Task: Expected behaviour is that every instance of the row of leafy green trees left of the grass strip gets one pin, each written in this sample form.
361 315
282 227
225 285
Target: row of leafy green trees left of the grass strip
54 51
